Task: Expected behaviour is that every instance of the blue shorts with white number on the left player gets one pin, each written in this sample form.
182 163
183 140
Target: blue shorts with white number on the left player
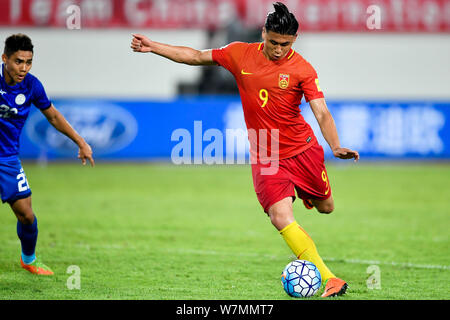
13 181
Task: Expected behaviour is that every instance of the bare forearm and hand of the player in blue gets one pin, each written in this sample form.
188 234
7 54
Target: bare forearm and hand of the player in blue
60 123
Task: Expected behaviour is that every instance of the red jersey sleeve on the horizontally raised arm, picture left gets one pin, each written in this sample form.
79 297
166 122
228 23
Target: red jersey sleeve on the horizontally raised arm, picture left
230 56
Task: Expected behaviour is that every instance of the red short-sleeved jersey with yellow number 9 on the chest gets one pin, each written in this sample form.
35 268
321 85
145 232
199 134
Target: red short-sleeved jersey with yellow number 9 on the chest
271 92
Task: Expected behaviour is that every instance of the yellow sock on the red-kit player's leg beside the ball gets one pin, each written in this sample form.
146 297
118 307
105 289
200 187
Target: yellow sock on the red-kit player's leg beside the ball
304 248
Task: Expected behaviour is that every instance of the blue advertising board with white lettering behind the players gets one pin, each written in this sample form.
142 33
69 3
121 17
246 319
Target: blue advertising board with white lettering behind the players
186 129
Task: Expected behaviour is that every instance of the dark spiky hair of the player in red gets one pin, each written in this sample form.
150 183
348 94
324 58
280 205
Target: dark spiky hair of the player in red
281 20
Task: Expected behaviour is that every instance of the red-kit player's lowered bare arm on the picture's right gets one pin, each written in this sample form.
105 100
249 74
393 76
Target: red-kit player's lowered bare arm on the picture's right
328 128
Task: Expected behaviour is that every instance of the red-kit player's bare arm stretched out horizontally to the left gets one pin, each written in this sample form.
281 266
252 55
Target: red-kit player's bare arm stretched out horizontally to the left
186 55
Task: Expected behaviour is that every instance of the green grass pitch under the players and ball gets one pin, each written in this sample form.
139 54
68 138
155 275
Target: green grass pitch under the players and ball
159 231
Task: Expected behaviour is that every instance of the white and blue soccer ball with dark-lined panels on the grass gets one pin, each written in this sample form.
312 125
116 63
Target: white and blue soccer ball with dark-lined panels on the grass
301 279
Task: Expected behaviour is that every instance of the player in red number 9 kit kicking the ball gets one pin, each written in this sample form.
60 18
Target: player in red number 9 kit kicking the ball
272 79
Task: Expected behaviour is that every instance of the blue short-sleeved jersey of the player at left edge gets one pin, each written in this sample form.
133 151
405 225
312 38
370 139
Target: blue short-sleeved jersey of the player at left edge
15 103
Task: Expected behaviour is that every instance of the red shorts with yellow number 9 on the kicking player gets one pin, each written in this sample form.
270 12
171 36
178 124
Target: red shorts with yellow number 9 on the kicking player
304 173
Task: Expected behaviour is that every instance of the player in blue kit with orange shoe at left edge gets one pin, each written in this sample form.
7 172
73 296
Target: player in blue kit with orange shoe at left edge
18 90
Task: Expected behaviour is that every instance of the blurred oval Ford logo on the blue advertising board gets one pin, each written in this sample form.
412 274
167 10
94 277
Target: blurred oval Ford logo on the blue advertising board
106 127
